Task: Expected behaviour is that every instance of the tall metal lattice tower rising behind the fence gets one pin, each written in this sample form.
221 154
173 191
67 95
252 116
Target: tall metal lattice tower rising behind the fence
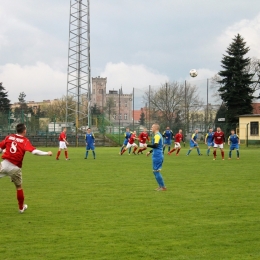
78 75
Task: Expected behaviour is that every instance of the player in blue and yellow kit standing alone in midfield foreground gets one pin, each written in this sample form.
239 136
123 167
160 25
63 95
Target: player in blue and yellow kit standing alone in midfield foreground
157 158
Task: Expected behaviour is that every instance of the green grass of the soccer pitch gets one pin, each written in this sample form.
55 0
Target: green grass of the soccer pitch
107 208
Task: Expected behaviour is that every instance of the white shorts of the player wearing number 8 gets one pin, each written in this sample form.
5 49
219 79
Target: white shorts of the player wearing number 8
11 170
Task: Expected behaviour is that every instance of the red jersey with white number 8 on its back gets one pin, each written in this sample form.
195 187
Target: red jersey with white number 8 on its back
16 146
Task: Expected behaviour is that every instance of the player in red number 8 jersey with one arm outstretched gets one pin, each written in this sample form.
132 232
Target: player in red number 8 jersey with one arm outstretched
14 147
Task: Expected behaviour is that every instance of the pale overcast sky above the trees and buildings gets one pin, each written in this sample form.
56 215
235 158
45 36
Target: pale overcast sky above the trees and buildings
134 43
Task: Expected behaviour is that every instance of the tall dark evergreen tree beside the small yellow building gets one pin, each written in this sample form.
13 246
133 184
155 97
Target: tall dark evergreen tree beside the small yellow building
235 90
